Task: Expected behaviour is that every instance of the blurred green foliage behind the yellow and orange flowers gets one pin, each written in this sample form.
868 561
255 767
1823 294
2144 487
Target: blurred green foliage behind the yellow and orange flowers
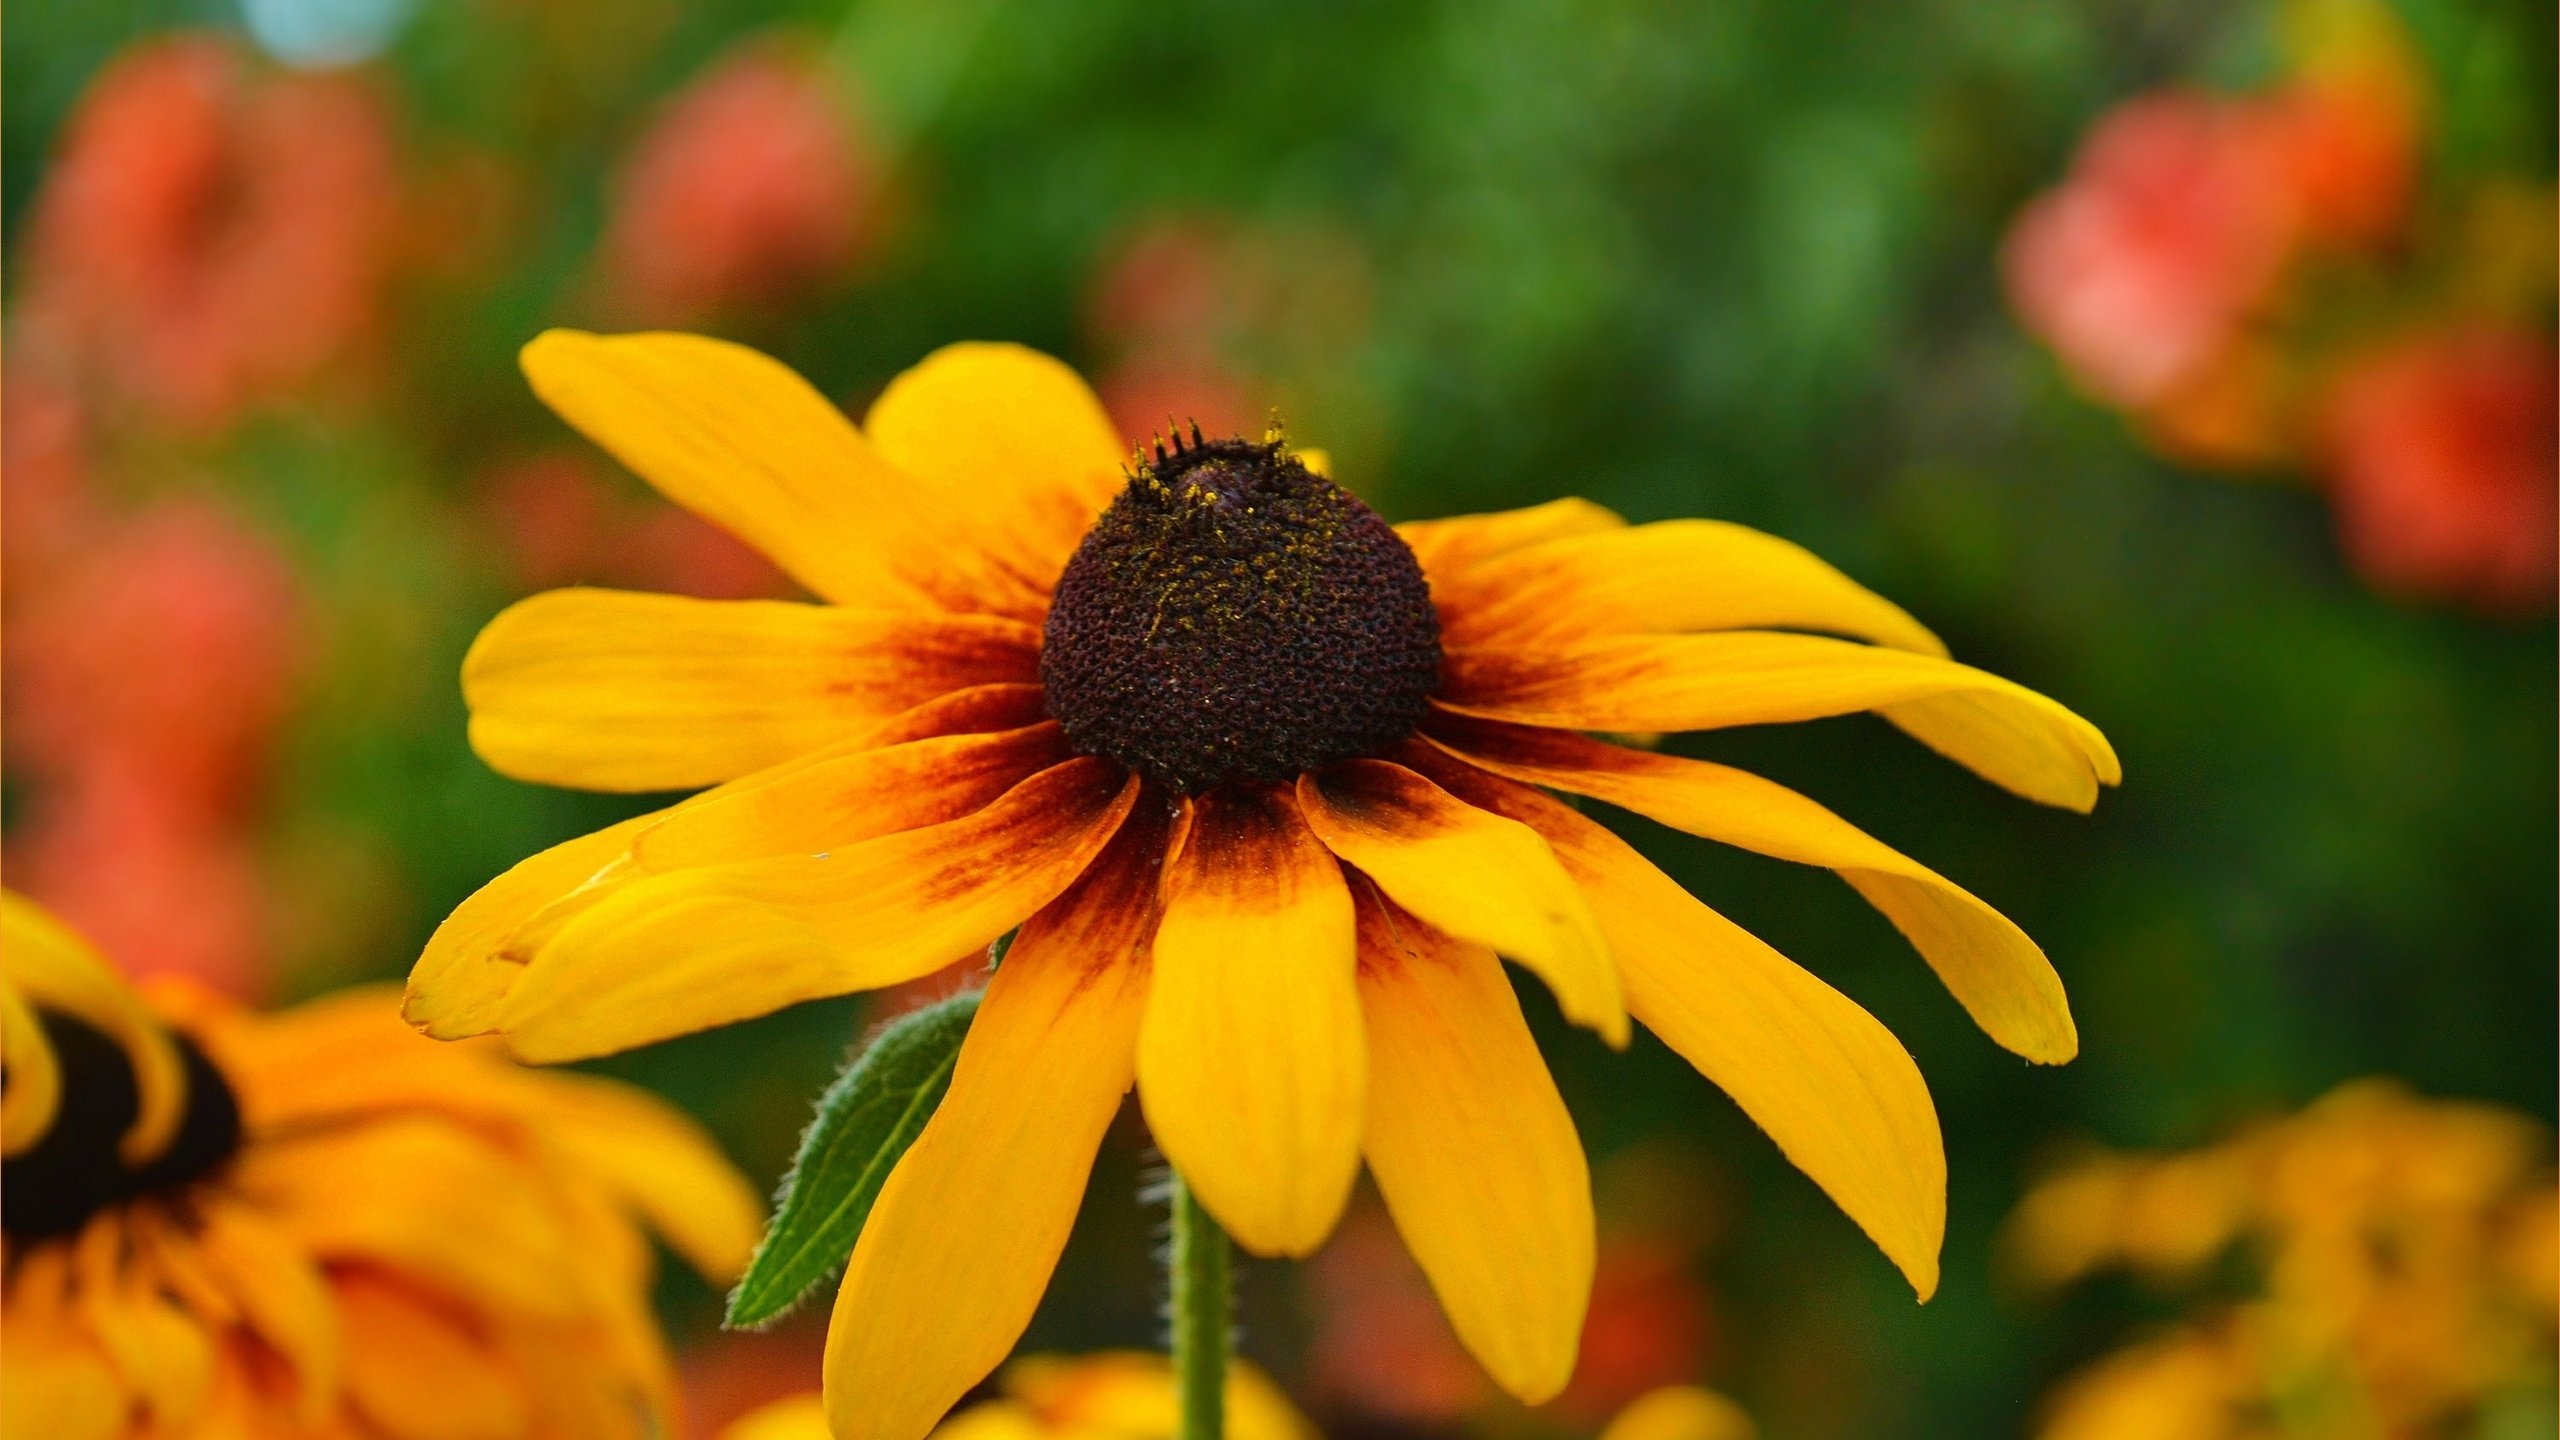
1686 260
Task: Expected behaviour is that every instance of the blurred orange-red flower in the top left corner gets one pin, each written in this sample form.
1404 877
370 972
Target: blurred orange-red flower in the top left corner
211 232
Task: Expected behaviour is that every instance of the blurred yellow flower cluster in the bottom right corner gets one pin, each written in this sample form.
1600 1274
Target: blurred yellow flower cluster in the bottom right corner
2403 1272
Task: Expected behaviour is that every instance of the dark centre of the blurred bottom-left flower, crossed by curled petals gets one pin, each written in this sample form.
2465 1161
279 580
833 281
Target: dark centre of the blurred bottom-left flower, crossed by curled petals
76 1170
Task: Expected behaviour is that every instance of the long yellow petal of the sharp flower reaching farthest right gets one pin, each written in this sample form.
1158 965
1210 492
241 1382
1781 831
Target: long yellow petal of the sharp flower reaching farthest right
1752 678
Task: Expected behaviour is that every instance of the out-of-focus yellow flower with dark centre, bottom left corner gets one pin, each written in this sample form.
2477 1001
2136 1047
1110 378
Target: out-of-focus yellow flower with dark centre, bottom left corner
316 1223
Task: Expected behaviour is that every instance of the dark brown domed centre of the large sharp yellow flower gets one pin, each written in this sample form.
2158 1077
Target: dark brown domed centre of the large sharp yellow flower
1238 616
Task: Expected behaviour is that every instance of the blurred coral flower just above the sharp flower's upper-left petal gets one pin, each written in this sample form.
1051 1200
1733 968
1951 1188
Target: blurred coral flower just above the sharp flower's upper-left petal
749 188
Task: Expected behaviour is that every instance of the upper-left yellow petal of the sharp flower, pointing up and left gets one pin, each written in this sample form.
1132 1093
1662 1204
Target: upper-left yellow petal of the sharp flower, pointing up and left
751 447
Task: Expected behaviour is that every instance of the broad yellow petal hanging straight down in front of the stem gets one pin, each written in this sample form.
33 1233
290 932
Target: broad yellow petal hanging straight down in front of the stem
1253 1060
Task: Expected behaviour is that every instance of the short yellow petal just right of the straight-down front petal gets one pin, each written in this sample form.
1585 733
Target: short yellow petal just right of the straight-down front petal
1473 875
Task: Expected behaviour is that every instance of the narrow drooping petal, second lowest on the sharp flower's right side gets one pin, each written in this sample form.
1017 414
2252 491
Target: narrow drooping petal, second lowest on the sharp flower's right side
1990 965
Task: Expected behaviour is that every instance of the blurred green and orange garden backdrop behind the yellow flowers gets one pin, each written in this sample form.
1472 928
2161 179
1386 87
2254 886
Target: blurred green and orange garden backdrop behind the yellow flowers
2185 360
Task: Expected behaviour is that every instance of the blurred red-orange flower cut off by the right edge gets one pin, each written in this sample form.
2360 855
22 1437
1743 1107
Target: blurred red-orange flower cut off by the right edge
2446 470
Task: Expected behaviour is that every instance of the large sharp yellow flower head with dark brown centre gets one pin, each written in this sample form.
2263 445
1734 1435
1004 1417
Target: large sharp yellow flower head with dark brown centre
1263 785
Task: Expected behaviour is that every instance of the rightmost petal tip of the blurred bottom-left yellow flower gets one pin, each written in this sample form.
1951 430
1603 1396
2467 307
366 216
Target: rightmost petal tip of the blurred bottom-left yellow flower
659 1162
